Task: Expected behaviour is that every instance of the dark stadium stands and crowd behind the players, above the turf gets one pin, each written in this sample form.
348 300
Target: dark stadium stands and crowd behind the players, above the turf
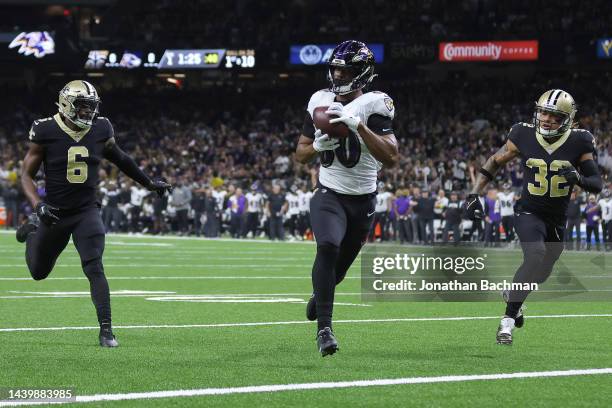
205 127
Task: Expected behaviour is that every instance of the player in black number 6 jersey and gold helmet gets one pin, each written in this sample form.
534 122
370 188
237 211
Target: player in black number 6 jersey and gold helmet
71 145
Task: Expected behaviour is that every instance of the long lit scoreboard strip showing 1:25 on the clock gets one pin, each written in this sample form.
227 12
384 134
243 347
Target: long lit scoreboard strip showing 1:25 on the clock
218 58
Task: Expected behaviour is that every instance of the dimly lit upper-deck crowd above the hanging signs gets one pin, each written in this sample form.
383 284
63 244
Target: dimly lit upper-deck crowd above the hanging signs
268 23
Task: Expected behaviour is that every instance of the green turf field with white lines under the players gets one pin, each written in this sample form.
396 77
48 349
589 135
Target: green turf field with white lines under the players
202 315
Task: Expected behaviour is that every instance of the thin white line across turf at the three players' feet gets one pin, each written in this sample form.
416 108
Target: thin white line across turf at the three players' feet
294 322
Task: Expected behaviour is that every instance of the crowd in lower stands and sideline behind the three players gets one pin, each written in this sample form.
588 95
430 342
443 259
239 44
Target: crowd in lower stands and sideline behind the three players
222 146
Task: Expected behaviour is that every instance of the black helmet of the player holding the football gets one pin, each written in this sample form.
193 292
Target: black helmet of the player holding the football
357 57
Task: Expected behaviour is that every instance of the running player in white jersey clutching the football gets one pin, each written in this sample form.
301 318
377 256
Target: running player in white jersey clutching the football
342 207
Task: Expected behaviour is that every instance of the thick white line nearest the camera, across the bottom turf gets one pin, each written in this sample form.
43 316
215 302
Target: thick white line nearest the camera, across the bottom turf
253 389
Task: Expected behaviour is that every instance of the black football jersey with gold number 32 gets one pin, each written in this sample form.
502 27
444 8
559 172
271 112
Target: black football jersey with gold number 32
545 193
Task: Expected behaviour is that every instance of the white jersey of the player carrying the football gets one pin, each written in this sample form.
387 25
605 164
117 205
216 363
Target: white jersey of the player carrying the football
352 169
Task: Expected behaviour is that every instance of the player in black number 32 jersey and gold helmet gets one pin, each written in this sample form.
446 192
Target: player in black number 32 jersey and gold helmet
555 157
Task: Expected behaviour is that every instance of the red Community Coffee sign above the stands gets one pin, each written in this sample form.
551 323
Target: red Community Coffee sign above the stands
489 51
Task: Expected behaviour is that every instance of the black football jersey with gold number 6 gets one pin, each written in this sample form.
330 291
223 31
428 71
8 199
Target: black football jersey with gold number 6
71 160
